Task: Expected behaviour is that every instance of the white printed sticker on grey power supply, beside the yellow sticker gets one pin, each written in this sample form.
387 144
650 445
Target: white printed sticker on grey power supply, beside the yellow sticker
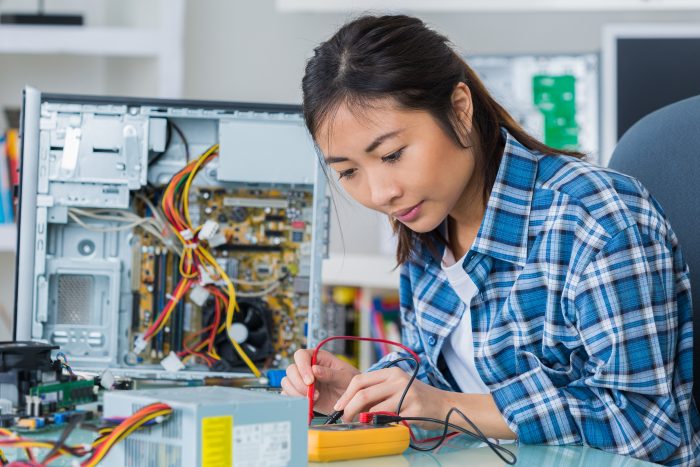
262 444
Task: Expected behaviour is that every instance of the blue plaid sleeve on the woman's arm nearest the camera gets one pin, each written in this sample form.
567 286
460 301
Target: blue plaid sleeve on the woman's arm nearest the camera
625 309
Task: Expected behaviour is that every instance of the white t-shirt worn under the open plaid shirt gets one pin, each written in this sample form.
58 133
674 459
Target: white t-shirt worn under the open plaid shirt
458 349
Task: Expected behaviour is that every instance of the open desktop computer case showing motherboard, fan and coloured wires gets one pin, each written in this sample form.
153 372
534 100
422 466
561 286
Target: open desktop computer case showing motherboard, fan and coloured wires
142 220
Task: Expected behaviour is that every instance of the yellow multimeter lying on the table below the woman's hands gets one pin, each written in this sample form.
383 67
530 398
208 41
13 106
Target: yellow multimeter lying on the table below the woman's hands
345 441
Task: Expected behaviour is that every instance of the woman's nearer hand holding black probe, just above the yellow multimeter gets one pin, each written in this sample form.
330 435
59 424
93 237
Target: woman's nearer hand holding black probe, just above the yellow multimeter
381 390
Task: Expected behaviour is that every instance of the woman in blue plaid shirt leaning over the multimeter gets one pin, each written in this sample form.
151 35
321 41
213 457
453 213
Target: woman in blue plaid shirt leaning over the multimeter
546 297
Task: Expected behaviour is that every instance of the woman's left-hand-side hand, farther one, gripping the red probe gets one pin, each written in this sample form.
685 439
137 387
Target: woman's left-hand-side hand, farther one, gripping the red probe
331 374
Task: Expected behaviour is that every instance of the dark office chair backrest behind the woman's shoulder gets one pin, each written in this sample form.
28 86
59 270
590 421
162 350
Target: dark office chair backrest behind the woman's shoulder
662 150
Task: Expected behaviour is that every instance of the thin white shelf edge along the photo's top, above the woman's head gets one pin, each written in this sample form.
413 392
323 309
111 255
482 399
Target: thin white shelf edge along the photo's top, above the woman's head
481 5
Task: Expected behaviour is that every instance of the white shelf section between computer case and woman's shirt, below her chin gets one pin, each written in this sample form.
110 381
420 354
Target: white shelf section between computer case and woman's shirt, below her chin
361 271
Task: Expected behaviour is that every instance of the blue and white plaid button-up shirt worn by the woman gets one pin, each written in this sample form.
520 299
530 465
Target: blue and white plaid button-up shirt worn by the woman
582 323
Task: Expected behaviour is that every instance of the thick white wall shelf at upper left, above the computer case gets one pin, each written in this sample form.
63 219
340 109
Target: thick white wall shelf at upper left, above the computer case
80 40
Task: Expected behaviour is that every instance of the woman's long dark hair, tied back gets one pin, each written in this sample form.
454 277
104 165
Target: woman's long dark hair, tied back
398 57
